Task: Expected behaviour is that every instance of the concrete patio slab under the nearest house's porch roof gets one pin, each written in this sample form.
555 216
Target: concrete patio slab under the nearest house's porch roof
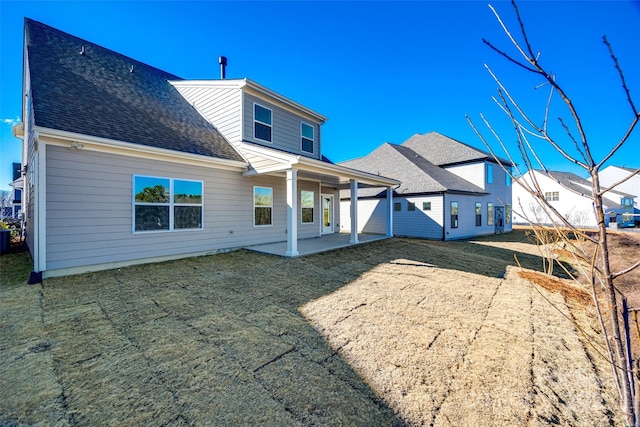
314 245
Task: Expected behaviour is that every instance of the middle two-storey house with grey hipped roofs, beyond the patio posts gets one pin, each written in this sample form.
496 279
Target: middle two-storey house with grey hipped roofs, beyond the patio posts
450 190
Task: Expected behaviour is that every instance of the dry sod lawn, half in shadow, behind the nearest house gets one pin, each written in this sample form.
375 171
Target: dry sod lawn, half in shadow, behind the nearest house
395 332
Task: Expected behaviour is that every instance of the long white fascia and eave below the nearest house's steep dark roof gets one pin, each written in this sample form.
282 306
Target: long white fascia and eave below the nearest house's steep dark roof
93 143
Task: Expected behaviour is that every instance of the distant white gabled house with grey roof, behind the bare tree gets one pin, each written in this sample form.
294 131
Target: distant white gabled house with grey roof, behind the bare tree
570 195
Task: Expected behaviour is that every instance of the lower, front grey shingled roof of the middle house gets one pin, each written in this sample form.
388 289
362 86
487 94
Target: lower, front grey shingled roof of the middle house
416 173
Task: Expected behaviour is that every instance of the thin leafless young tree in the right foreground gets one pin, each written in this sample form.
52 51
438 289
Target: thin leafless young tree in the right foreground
570 141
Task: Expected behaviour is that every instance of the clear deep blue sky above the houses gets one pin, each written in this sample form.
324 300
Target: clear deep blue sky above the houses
380 71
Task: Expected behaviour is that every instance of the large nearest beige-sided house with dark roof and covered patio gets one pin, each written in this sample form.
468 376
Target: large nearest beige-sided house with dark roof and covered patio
125 163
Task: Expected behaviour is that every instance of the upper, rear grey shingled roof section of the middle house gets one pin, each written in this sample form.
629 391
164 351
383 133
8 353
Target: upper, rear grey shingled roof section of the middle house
442 150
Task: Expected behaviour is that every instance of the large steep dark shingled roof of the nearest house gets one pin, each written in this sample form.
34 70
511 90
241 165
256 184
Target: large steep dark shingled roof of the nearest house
99 94
